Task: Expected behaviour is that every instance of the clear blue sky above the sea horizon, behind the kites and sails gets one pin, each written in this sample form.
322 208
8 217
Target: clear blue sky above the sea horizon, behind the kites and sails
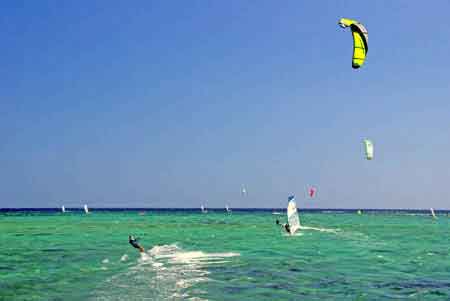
178 103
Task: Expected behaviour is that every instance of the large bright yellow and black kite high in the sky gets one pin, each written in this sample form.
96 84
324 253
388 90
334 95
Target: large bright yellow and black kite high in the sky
360 41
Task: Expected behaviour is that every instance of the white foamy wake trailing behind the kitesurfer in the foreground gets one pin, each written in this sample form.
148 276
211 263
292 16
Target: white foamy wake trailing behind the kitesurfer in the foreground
164 272
